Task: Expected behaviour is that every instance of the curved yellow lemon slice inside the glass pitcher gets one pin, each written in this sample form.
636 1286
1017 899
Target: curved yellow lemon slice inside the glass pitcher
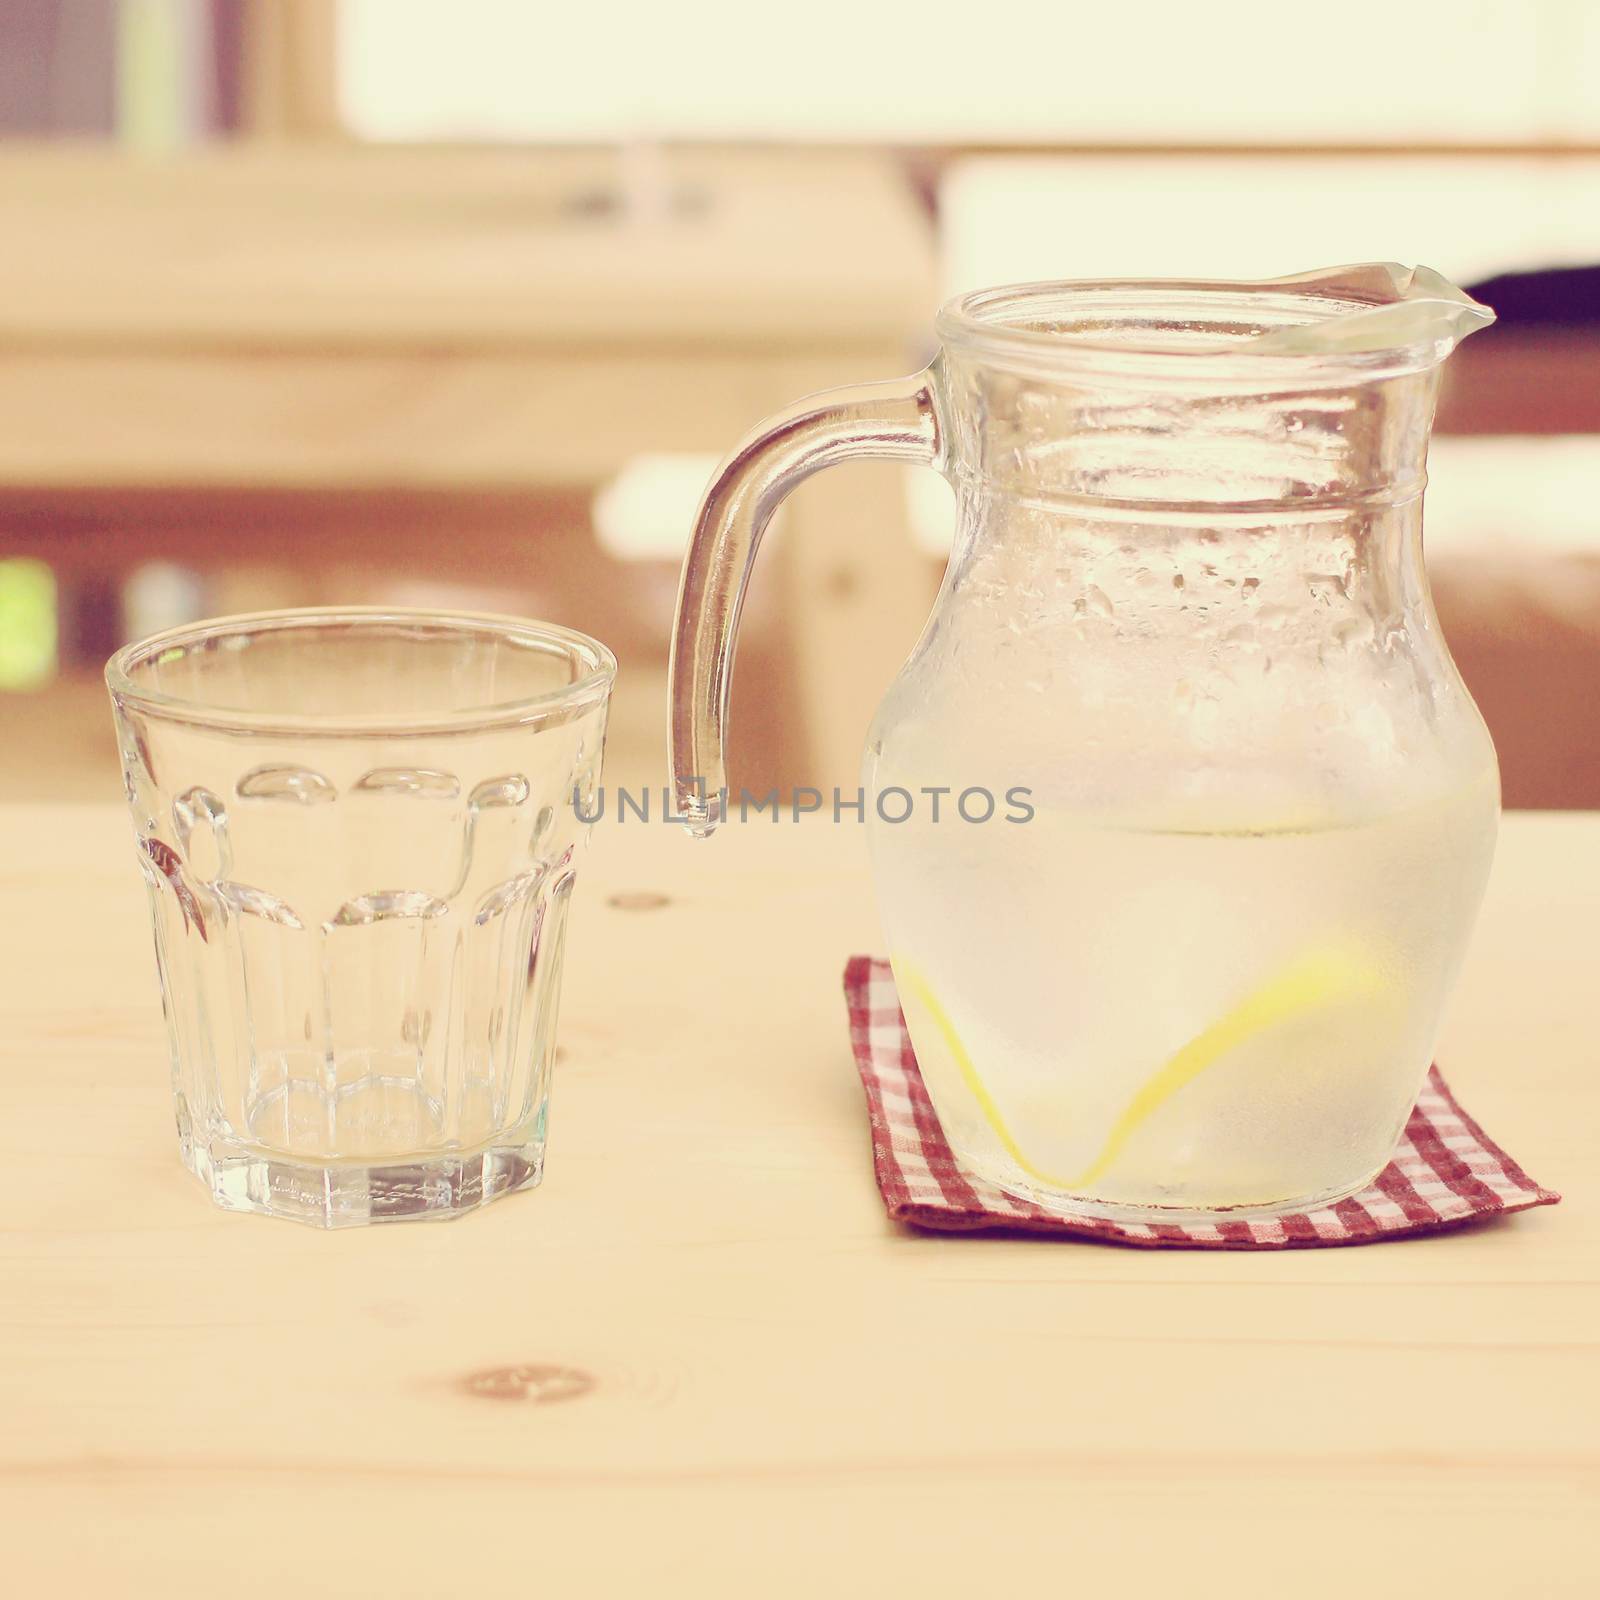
1319 978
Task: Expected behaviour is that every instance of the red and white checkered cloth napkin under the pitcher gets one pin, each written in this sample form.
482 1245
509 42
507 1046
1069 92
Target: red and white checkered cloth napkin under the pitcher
1444 1174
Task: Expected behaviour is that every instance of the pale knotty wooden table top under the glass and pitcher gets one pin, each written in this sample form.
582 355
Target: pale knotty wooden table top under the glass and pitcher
772 1390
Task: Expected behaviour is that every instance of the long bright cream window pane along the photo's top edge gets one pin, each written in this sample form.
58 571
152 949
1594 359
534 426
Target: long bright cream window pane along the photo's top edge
1164 73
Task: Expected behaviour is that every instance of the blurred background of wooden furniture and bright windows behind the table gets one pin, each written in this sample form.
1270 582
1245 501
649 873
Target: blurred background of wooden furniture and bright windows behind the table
409 302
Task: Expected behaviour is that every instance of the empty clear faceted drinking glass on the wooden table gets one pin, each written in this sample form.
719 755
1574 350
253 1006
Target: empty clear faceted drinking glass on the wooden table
359 836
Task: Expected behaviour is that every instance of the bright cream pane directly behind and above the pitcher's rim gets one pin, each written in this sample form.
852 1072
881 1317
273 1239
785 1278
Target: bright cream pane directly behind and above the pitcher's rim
1014 220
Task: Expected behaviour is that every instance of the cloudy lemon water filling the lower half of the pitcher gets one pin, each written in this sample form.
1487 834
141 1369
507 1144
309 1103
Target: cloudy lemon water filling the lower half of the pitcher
1182 1010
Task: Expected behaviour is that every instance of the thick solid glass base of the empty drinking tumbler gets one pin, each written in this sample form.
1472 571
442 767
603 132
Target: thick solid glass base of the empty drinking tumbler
358 1194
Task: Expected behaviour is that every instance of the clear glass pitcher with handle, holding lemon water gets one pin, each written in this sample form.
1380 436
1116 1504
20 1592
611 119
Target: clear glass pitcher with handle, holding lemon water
1196 959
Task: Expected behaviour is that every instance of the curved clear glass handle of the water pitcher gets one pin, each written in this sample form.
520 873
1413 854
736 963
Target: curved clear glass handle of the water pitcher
895 422
